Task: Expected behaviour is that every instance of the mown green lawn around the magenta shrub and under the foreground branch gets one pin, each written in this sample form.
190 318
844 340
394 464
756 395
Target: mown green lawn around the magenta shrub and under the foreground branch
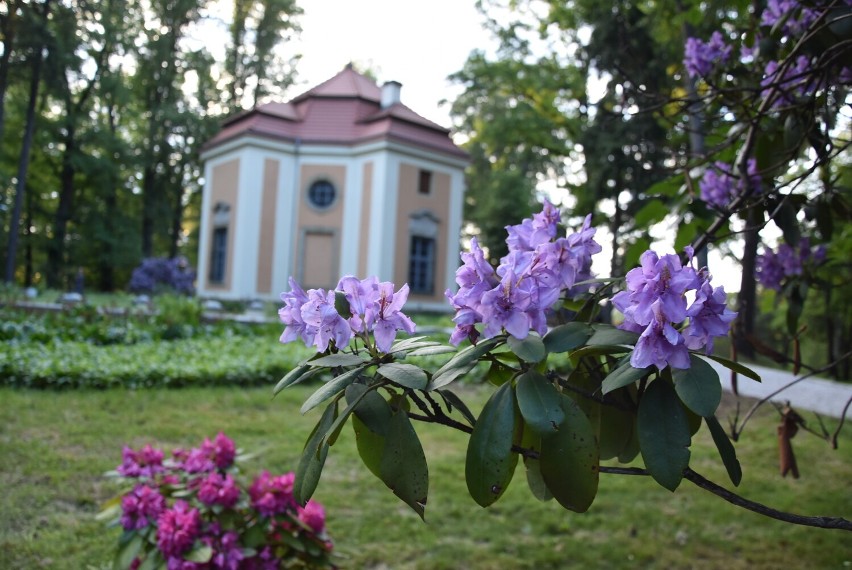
56 445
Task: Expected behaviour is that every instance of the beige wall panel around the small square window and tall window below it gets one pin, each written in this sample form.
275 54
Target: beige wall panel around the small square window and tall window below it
437 202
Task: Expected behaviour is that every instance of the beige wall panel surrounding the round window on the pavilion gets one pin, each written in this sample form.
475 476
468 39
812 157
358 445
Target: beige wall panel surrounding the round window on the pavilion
319 259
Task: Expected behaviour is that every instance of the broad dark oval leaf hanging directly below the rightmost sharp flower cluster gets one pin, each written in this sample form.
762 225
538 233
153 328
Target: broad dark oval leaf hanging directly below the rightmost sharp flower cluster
663 434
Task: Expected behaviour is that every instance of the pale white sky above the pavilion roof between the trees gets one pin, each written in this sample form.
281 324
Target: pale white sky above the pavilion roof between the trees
417 44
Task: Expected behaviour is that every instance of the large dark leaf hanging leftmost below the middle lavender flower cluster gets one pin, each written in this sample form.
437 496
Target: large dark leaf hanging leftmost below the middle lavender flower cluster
490 462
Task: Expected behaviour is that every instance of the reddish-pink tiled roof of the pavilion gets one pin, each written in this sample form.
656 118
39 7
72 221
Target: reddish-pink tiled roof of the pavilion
343 110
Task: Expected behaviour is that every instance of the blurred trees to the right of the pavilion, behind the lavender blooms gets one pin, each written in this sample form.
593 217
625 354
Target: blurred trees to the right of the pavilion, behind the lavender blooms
593 101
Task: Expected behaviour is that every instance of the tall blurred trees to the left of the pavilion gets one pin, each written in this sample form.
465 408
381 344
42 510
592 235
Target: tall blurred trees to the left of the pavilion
104 105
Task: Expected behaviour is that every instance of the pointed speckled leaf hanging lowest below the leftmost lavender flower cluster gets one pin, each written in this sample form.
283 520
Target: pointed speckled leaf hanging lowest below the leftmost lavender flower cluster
403 467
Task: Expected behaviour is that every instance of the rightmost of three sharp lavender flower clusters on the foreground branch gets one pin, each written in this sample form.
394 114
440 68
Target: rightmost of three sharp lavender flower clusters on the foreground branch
655 302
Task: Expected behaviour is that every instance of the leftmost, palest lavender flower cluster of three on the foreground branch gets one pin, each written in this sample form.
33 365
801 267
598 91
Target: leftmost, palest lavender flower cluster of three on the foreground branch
374 308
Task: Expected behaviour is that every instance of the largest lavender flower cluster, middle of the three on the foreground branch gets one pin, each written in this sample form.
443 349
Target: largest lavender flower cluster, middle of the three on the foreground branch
517 296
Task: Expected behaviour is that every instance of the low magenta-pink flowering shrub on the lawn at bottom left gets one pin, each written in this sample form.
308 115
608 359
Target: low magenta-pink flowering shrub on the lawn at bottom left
195 511
